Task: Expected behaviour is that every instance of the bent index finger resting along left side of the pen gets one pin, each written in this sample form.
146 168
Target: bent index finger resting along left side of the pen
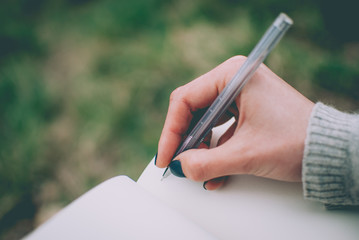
185 100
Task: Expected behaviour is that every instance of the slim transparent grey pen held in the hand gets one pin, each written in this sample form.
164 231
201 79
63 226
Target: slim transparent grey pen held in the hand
271 37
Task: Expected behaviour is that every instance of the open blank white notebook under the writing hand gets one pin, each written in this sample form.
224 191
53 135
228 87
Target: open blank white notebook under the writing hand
246 207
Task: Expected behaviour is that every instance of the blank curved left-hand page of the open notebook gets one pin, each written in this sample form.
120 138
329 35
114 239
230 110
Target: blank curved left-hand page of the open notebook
118 209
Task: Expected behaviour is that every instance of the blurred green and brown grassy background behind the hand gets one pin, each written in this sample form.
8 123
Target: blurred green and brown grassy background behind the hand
84 84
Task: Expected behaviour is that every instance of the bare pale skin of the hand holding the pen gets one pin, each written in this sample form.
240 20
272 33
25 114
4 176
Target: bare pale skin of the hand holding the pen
267 138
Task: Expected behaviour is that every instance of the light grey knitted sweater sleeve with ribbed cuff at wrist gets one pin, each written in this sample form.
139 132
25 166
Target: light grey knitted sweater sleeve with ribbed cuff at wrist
331 157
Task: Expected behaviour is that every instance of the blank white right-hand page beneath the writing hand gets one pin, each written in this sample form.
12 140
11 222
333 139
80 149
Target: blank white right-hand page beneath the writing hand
249 207
